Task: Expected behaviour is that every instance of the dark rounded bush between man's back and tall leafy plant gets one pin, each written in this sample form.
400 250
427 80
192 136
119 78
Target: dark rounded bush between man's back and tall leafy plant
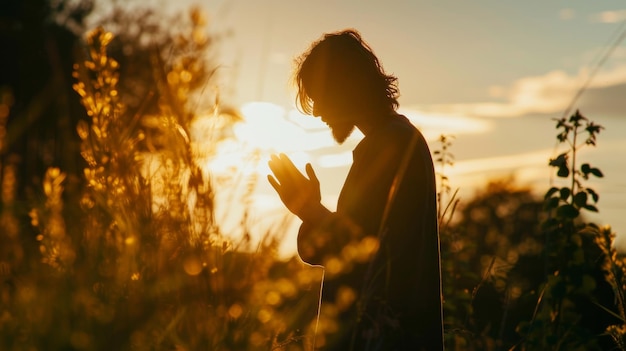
491 264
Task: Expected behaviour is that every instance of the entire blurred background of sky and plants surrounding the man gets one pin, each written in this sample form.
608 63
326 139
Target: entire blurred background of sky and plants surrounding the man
134 138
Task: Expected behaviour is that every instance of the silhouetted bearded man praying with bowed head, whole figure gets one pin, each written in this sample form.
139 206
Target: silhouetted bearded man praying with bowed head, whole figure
381 247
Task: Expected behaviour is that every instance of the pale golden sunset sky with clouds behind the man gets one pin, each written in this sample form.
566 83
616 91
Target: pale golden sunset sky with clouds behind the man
493 73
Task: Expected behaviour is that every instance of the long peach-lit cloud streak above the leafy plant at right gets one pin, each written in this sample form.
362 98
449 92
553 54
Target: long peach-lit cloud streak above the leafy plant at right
544 94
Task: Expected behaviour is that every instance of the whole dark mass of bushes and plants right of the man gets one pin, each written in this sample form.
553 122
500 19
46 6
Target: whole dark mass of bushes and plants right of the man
522 273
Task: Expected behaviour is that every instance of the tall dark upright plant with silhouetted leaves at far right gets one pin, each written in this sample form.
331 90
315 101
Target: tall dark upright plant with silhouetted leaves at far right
571 257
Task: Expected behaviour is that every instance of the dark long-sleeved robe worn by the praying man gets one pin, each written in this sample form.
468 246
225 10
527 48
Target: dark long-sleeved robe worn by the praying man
398 303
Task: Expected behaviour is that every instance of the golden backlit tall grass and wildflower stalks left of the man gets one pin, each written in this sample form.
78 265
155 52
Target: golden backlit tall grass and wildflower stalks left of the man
132 263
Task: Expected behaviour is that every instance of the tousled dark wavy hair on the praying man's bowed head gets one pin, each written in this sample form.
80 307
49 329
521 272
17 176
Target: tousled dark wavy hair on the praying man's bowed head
344 66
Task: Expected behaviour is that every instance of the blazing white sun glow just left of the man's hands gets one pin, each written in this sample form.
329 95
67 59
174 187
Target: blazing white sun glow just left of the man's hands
238 164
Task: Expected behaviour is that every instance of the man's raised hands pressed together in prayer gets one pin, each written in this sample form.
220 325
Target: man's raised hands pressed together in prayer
301 195
